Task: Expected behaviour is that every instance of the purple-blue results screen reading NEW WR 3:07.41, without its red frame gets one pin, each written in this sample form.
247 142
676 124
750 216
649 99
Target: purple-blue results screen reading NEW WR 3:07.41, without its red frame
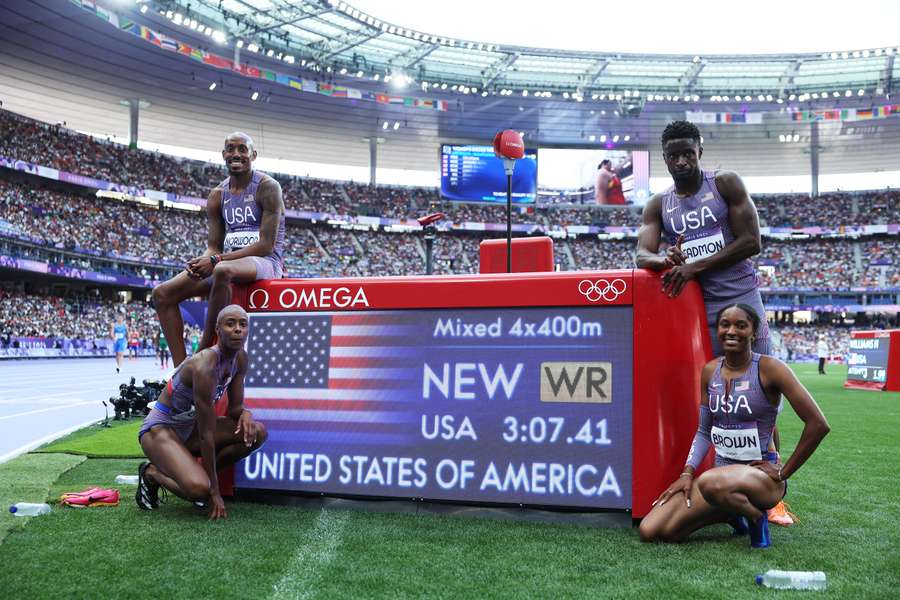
513 406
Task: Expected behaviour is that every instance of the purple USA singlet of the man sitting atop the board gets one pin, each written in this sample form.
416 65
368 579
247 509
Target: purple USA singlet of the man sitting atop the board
243 216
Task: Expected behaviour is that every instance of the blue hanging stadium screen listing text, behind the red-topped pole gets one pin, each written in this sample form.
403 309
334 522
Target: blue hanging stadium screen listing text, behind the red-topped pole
474 173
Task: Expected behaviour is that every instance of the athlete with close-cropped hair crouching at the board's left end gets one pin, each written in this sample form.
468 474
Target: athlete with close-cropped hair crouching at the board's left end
184 425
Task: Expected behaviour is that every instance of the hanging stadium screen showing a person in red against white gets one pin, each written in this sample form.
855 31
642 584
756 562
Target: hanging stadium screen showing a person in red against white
573 175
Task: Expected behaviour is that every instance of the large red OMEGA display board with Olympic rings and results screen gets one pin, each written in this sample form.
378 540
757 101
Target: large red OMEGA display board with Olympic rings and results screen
530 435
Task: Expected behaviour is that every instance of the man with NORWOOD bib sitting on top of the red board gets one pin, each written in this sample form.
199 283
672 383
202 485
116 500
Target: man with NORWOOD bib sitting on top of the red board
245 241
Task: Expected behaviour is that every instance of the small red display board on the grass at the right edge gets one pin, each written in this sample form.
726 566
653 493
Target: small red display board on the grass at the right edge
873 362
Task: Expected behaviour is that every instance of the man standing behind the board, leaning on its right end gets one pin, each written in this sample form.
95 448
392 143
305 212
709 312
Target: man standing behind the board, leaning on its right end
712 228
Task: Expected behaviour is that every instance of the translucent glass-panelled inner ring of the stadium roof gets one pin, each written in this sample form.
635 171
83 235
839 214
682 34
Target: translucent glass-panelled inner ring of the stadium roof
334 37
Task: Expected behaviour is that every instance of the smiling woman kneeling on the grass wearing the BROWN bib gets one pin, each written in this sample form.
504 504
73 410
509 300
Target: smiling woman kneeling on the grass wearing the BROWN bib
740 394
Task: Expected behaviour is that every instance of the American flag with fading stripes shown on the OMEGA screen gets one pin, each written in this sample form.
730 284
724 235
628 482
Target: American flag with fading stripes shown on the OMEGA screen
347 378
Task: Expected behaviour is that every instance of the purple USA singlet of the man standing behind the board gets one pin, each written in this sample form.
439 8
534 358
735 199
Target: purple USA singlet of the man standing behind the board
703 219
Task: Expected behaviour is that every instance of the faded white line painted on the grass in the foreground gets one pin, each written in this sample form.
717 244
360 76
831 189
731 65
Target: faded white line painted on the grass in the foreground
313 555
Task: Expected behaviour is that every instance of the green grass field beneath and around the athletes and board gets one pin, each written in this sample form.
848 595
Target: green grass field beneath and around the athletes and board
846 497
